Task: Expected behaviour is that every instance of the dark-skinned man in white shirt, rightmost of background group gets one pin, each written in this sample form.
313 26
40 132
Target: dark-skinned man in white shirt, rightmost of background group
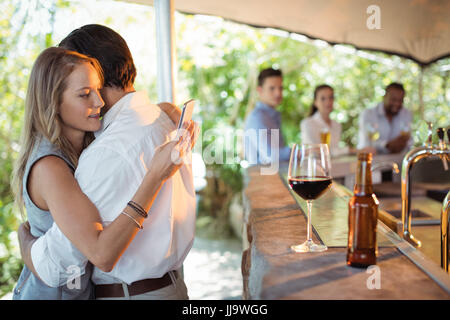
387 126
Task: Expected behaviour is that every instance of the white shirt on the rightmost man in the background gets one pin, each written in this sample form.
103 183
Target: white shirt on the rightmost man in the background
388 130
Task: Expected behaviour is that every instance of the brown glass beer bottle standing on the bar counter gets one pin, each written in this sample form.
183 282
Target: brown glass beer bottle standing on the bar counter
362 217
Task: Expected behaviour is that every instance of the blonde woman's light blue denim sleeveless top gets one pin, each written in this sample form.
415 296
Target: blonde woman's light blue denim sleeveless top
29 287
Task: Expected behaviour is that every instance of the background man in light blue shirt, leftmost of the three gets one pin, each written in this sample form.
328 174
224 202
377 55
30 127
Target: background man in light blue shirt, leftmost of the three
263 142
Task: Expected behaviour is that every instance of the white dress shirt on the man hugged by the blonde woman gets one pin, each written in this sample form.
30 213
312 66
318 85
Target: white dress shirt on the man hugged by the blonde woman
109 172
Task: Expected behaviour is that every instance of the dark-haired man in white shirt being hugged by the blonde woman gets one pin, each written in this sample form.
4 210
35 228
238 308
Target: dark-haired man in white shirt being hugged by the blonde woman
109 172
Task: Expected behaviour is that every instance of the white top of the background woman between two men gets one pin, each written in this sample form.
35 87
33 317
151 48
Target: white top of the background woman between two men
311 127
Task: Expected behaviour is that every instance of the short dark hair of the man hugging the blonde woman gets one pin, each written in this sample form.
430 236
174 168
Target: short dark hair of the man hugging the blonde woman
109 48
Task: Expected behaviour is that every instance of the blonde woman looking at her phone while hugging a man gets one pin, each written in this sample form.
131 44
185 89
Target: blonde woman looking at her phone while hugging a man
62 110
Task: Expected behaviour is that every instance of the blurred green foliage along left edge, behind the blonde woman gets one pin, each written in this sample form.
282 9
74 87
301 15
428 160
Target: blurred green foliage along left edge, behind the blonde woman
19 47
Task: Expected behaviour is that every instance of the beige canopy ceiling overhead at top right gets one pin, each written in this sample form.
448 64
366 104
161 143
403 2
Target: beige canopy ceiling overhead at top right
416 29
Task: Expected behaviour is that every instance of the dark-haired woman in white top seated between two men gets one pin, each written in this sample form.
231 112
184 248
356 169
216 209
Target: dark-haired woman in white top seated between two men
319 122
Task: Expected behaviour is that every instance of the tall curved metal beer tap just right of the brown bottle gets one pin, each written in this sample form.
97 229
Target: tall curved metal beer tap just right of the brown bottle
414 155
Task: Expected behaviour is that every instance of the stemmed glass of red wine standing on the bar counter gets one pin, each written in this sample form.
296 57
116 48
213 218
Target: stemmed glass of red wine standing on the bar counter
309 176
